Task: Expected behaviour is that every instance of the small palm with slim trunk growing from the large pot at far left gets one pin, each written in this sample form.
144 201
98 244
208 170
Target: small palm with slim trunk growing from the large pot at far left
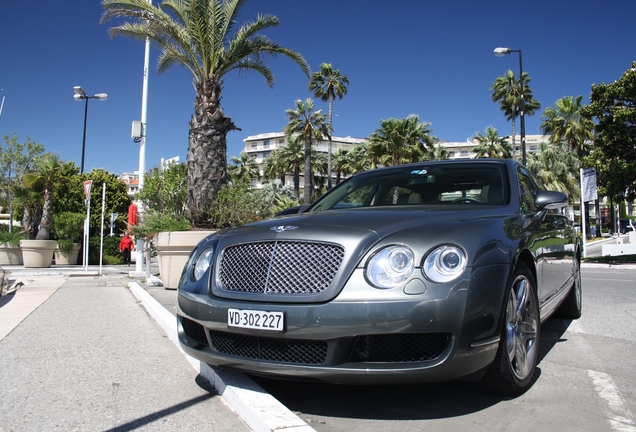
49 166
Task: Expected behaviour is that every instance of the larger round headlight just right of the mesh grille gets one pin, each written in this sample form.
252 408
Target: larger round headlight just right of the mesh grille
390 267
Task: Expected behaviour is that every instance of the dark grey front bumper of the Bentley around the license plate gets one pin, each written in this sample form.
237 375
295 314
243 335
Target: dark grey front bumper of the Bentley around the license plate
363 336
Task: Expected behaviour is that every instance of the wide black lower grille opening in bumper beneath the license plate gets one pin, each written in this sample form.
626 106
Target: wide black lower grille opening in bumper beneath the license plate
400 348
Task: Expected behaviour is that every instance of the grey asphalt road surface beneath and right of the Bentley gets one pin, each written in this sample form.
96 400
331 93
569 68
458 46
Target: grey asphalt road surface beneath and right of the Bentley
585 381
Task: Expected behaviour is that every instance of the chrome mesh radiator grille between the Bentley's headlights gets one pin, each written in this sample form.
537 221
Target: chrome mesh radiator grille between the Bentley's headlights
279 267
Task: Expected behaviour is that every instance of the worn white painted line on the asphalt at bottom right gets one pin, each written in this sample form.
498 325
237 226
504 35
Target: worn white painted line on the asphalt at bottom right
616 411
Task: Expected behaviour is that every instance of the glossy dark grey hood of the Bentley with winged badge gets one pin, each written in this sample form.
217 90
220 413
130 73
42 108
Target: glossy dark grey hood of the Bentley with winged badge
360 233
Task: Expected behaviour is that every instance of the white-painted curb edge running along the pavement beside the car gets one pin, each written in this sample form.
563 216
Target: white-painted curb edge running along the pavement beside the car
257 408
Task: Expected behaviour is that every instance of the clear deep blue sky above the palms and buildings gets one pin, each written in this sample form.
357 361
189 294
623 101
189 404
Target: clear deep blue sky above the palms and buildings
425 57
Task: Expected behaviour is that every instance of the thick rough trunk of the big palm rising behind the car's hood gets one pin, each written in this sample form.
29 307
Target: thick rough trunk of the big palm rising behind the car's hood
207 151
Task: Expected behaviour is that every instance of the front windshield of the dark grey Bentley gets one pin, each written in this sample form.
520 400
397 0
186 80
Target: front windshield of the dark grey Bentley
425 184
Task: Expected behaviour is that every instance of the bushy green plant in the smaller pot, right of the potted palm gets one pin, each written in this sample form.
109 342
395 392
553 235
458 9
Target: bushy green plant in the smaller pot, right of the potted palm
67 229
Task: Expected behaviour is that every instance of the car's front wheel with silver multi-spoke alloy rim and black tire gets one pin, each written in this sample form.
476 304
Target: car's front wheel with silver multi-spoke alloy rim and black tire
512 371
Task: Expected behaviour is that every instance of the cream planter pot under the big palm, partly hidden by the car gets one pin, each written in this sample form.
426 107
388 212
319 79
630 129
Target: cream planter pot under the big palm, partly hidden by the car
173 249
